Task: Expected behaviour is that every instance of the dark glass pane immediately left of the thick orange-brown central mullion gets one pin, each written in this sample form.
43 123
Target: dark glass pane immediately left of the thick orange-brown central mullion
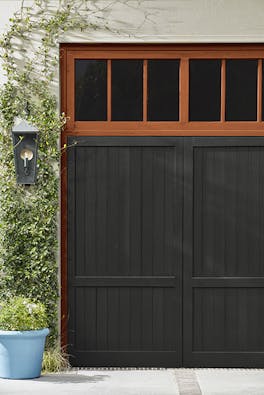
163 90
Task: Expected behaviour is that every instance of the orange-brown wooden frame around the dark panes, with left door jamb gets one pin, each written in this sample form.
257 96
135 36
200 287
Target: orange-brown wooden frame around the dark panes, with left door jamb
183 127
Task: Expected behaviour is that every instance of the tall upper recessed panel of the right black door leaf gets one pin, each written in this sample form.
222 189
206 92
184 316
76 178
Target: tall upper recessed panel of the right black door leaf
228 211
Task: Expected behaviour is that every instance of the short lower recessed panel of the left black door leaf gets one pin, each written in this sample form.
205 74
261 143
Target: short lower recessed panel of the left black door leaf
125 319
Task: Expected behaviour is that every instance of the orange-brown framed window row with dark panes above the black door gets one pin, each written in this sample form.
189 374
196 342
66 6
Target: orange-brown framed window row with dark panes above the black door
163 89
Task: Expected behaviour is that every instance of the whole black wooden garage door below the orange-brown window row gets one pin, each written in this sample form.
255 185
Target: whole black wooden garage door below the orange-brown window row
165 251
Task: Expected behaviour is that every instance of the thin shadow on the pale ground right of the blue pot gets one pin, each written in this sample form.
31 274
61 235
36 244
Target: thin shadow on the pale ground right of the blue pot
71 378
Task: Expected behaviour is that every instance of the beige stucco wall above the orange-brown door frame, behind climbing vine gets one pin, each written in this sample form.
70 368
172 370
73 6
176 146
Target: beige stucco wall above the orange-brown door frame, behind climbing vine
164 21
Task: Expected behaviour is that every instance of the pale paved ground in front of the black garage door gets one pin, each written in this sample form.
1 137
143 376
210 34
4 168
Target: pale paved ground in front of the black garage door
142 382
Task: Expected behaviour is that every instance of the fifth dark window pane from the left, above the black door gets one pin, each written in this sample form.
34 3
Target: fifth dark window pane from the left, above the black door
241 90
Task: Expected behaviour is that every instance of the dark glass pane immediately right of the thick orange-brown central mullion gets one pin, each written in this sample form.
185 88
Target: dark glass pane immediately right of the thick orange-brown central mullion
205 90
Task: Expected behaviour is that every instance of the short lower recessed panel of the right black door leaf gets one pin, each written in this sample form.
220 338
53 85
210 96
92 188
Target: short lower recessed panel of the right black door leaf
228 319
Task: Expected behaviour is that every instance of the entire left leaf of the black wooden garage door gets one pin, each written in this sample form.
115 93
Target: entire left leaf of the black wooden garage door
125 251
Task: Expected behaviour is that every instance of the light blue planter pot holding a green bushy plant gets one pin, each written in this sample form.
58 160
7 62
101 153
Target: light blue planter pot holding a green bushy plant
21 353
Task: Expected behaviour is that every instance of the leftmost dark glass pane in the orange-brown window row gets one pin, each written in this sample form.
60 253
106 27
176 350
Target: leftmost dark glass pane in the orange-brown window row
90 90
